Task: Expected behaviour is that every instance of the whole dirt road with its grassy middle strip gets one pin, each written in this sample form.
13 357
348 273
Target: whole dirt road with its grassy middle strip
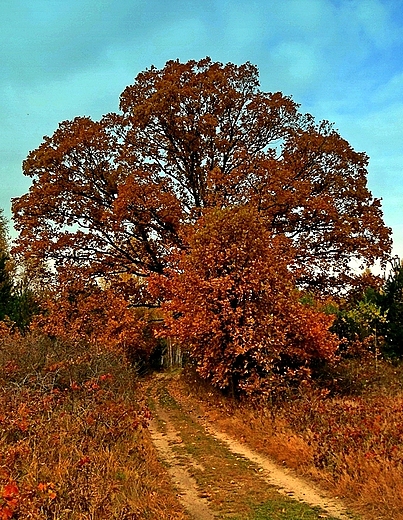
218 477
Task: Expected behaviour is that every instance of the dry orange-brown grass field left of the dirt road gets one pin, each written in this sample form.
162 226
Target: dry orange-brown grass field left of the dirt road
73 443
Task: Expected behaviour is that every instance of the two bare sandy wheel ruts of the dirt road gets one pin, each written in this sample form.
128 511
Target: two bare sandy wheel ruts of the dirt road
167 438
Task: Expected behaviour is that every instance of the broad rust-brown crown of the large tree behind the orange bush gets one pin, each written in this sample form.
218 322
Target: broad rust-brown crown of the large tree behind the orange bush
113 196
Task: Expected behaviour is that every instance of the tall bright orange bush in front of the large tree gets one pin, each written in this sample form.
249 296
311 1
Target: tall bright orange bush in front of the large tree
230 298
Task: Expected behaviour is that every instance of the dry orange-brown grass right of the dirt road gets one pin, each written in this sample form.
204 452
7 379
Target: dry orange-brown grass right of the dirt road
351 444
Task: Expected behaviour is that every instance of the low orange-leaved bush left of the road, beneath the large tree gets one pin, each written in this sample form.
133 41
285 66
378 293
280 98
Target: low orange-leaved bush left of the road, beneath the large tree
81 310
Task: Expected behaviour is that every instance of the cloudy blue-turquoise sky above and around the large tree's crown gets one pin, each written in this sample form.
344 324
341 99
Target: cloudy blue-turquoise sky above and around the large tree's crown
341 60
